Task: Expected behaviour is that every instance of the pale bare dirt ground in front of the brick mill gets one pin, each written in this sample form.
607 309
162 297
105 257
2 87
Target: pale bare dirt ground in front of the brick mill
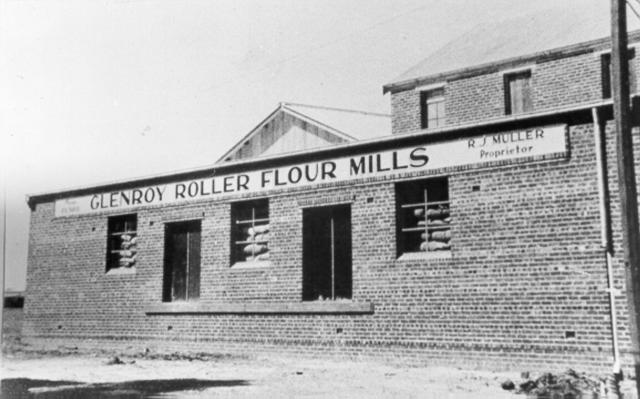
65 373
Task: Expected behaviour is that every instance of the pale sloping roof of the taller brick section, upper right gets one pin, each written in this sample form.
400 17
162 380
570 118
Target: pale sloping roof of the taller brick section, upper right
523 36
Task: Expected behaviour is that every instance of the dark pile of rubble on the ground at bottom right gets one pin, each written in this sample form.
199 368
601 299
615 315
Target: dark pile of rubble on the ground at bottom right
567 385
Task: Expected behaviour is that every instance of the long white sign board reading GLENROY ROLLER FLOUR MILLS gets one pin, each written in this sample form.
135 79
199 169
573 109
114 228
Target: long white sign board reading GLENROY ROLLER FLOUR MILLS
476 150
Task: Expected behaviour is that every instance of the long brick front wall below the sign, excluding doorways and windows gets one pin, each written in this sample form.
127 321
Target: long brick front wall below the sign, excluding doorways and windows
526 269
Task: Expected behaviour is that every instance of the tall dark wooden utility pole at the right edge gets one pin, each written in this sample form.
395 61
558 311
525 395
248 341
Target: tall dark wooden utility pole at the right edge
626 173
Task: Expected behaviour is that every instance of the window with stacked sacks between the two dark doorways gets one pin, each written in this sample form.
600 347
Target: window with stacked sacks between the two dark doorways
250 231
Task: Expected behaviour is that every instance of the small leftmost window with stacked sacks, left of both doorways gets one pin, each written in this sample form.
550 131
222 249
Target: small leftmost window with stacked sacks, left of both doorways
122 241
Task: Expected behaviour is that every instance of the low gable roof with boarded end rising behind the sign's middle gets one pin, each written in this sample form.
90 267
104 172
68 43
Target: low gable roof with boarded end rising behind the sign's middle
307 126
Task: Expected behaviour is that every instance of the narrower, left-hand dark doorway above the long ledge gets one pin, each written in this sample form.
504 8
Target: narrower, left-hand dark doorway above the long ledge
181 261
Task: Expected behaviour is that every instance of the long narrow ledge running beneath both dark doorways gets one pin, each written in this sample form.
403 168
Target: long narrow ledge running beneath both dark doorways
315 307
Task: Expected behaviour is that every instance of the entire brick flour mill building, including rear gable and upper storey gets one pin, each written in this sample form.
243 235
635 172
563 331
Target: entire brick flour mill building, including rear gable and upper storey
480 232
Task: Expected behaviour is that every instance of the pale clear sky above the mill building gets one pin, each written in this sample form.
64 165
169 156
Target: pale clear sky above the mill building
97 91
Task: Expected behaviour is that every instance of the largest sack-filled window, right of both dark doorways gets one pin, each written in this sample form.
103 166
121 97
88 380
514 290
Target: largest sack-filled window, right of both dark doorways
424 217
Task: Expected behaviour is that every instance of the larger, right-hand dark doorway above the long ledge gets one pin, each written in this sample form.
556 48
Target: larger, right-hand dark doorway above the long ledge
326 253
